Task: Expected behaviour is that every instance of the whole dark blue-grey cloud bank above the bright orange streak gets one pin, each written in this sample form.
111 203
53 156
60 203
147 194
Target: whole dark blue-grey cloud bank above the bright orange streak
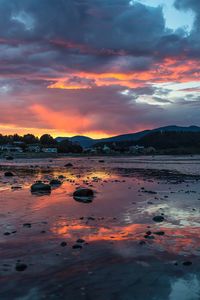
83 35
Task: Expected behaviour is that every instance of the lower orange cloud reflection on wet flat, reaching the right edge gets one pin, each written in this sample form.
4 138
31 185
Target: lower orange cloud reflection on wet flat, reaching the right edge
175 240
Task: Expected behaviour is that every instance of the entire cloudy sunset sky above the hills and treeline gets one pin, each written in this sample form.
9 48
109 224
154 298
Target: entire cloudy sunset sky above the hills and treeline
98 67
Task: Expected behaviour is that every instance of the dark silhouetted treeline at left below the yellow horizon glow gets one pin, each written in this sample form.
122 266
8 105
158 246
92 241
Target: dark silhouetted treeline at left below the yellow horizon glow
46 140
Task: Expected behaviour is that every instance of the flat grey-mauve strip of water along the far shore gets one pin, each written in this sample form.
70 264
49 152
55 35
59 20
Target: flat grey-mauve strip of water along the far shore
185 163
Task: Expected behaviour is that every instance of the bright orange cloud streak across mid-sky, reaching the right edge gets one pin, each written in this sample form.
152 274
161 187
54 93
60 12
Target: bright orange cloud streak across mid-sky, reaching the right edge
170 70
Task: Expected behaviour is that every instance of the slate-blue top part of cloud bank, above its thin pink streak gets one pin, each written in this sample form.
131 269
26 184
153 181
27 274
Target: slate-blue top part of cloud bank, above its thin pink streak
110 24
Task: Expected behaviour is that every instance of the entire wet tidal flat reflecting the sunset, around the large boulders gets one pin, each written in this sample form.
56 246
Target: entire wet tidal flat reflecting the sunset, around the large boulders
137 238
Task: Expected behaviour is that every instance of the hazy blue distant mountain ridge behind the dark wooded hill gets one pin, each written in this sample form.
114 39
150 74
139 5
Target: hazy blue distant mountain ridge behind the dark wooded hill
87 142
